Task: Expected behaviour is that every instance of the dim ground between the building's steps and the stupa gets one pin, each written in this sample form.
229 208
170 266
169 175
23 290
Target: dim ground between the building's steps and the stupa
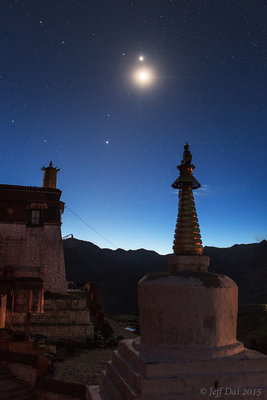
86 365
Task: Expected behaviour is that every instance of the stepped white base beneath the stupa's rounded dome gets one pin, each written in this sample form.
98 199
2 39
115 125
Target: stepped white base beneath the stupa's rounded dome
137 374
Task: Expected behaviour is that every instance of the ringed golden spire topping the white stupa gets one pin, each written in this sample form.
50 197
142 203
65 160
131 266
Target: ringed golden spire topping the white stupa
187 239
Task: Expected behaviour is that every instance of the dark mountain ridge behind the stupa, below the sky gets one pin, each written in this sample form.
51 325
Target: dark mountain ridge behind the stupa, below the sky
117 272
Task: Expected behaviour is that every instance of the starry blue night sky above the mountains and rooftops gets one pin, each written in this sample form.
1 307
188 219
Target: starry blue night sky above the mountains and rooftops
68 95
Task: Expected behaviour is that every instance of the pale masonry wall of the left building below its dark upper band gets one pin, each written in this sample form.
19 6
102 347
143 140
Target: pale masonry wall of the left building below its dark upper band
34 252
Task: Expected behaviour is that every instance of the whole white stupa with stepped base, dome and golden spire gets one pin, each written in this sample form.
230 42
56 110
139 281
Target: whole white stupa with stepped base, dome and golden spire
187 349
